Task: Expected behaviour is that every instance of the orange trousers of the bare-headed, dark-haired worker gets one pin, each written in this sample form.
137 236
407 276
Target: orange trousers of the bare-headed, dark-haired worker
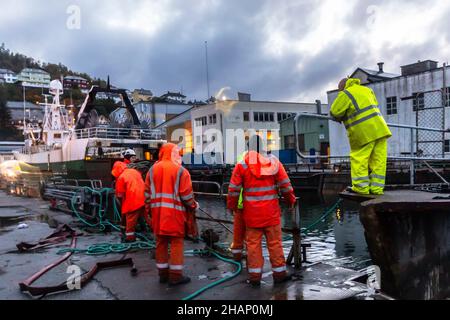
255 259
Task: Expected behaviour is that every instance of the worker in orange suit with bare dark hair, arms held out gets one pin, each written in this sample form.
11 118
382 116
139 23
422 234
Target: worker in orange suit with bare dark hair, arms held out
261 176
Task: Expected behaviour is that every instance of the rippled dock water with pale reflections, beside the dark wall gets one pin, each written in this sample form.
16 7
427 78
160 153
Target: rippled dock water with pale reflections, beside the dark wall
340 243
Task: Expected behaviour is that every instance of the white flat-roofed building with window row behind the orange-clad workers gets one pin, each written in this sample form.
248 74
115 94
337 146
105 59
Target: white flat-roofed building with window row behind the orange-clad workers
237 119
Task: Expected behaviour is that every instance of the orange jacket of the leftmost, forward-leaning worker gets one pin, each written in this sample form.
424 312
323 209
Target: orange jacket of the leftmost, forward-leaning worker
130 187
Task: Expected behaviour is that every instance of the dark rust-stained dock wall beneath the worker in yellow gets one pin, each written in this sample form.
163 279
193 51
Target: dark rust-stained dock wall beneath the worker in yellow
408 235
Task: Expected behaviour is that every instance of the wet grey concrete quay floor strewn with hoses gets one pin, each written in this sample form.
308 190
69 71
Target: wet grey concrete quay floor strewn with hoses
315 281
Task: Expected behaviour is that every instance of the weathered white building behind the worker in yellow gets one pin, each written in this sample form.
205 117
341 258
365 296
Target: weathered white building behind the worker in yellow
416 97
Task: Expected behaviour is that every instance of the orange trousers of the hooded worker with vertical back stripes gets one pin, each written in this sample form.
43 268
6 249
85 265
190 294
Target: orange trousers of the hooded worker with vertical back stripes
170 267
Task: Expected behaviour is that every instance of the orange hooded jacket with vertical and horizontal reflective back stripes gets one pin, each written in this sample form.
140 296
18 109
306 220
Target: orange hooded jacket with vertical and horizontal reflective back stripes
169 193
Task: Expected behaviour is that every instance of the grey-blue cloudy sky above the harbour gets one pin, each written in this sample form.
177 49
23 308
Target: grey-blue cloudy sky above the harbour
289 50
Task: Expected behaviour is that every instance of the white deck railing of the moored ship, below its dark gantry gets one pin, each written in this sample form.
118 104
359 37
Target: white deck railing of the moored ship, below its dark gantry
118 133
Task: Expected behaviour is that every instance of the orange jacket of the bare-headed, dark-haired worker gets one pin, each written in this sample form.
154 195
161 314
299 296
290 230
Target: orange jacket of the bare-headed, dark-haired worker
261 178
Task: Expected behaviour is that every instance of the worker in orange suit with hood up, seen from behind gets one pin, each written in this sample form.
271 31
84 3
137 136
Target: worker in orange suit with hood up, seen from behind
170 199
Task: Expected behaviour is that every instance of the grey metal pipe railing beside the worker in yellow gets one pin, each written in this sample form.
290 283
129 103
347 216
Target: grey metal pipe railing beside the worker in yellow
412 158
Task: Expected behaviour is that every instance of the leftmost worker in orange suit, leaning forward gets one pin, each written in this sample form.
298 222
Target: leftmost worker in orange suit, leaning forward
130 190
